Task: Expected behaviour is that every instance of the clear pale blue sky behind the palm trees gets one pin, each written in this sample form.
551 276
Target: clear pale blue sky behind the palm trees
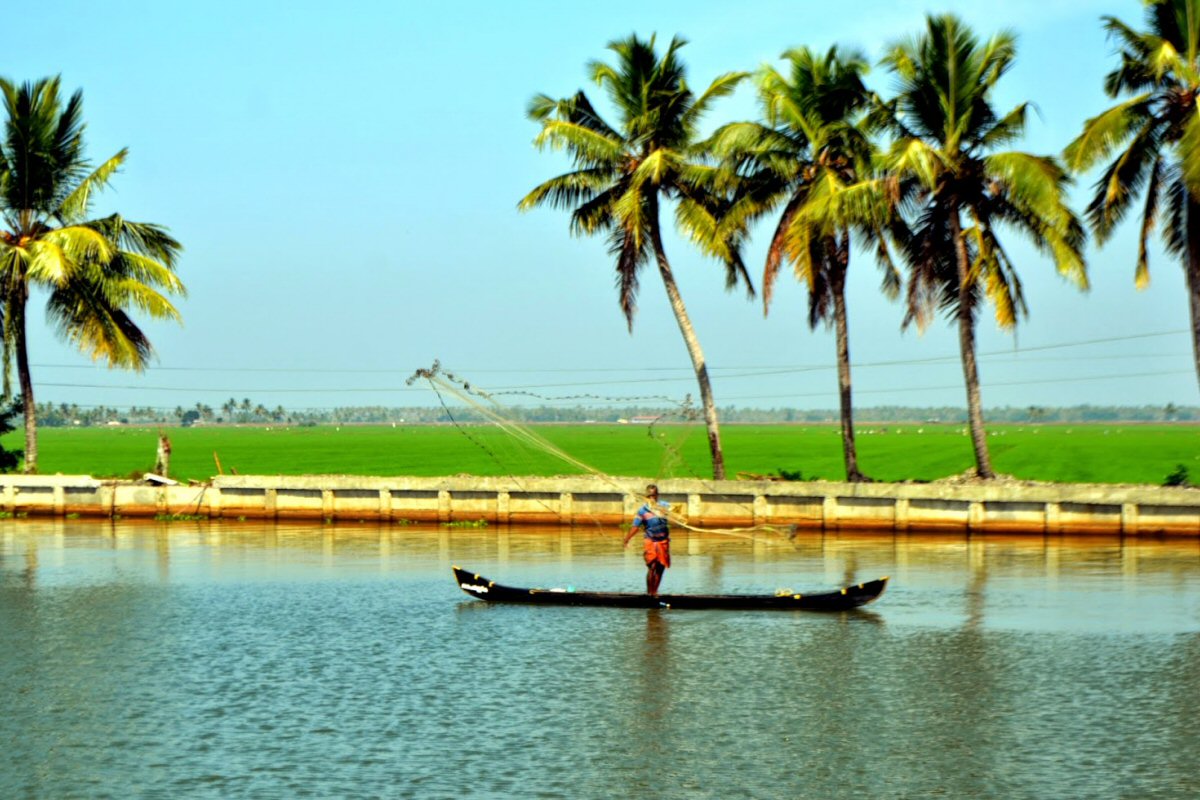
345 179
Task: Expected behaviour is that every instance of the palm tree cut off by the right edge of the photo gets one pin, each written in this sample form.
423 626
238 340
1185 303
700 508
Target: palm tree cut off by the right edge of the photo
1155 133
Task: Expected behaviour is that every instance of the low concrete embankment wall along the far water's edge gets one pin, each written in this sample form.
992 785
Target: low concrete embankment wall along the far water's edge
1000 508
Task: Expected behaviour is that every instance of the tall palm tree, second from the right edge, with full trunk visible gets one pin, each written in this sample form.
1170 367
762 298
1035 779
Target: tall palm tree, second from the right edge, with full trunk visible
956 189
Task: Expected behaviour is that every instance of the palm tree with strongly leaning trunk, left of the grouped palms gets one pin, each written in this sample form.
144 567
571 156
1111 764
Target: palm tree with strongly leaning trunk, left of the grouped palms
623 173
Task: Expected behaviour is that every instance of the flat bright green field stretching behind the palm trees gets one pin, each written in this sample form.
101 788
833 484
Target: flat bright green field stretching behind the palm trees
1107 454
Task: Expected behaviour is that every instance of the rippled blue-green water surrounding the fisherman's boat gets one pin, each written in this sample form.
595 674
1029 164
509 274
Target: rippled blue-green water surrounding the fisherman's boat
190 660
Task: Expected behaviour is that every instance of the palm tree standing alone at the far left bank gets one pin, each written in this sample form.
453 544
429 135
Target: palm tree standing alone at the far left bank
94 270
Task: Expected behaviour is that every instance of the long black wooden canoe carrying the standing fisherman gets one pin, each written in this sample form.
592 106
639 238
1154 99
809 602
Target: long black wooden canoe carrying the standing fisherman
831 601
